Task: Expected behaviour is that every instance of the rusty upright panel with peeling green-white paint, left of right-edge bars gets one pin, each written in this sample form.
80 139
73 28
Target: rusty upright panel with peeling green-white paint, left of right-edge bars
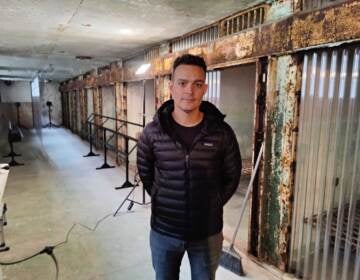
278 185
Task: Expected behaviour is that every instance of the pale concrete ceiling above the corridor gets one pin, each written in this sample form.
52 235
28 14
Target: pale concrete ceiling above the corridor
45 37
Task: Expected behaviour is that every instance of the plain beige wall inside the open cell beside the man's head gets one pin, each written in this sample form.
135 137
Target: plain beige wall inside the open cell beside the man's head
237 95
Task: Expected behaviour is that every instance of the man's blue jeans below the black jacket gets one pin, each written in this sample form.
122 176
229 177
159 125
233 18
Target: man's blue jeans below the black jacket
167 253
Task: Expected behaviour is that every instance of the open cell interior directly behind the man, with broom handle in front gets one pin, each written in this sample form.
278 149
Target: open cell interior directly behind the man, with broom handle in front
232 90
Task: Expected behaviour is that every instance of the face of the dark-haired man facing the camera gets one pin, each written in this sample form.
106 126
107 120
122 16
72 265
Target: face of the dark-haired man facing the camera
188 87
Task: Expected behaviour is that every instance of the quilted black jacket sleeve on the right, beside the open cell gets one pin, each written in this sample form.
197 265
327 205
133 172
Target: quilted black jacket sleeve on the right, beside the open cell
231 165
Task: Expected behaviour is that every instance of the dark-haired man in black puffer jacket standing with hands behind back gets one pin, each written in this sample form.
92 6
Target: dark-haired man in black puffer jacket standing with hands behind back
189 162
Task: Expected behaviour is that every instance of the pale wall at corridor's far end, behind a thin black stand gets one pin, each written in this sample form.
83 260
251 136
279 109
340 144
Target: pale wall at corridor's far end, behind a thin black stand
50 92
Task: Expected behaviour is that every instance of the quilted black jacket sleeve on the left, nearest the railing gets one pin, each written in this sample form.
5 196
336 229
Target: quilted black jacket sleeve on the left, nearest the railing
145 160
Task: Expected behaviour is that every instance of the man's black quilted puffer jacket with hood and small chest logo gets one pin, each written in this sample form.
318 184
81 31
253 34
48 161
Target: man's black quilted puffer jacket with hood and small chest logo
189 188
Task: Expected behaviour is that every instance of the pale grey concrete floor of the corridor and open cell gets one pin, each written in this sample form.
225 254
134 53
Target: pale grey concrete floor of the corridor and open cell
56 189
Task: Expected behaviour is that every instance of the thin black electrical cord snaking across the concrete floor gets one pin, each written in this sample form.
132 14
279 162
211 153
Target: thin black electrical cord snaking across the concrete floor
50 249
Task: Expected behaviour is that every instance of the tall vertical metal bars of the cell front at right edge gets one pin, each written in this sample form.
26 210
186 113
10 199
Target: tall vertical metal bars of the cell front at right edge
325 240
